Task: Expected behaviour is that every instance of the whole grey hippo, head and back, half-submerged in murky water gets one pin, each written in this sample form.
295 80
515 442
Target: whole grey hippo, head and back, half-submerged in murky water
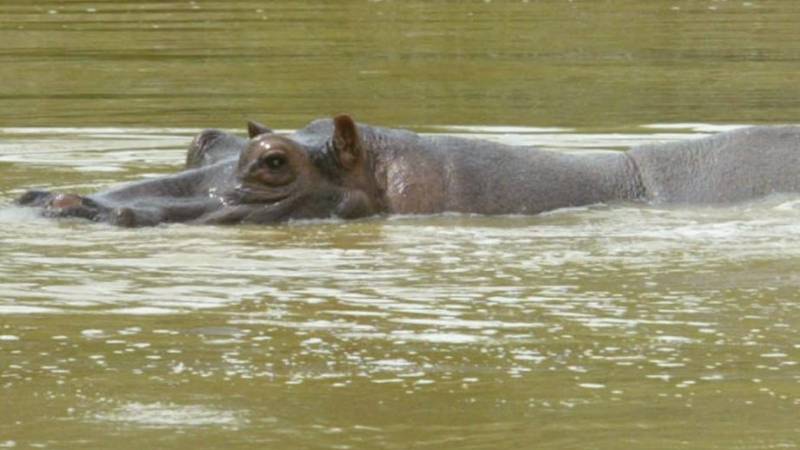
336 168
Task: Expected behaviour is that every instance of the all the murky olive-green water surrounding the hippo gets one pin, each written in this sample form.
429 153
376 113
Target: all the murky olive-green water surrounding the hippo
613 326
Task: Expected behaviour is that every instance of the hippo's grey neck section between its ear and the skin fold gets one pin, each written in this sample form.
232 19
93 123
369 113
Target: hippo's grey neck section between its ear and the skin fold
426 175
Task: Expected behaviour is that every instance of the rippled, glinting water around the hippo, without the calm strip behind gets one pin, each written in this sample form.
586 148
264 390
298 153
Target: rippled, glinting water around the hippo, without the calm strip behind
616 320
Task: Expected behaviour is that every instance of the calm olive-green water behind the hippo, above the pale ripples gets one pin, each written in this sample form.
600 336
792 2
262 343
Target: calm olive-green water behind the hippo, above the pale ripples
508 62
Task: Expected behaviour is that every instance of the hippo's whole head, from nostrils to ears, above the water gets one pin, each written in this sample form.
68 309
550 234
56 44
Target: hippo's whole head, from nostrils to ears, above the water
325 170
